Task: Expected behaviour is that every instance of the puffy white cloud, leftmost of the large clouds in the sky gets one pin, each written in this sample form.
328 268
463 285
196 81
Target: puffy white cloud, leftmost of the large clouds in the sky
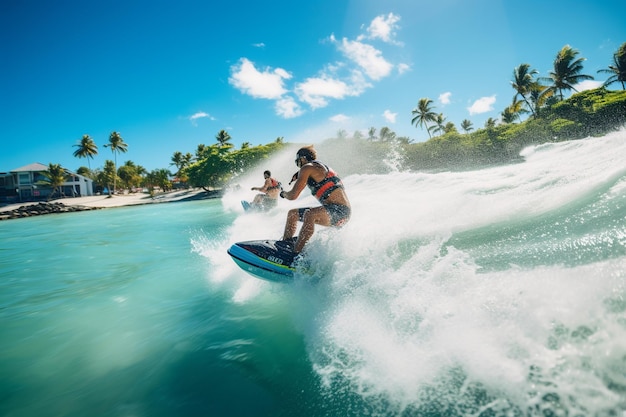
266 84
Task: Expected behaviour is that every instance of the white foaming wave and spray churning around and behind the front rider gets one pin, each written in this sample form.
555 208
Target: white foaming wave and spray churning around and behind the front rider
496 289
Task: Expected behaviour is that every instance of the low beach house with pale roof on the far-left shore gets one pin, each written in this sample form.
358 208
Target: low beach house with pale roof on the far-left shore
27 184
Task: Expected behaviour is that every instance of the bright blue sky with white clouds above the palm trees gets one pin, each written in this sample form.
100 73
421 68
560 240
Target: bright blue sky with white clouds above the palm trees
168 75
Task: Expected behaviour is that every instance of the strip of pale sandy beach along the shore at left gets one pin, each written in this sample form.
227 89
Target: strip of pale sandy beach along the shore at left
104 201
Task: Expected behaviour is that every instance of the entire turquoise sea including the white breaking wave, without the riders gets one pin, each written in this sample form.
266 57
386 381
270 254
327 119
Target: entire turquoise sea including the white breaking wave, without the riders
494 292
